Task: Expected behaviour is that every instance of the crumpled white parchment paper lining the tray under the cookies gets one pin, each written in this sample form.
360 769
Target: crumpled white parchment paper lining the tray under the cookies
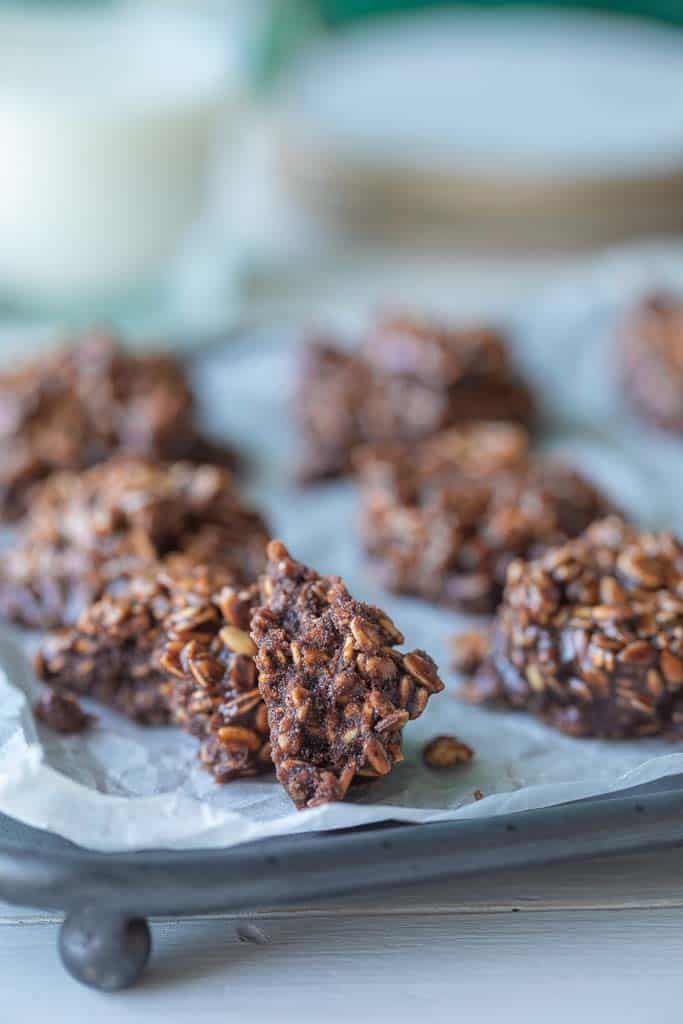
120 787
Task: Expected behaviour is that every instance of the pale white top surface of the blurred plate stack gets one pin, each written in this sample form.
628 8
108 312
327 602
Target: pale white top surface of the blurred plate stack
540 92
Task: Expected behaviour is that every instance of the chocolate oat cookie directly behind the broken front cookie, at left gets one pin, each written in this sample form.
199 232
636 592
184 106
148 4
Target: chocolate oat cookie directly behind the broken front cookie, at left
88 532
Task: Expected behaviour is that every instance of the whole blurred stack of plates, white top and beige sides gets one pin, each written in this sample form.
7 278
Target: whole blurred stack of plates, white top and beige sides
501 113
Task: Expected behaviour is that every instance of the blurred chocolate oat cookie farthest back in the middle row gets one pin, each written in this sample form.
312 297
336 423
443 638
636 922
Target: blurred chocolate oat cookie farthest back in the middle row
409 379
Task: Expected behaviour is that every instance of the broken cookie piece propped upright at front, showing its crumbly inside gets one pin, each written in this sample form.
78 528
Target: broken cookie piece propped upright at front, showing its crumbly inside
337 692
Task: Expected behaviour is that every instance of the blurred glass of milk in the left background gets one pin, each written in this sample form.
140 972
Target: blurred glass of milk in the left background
111 122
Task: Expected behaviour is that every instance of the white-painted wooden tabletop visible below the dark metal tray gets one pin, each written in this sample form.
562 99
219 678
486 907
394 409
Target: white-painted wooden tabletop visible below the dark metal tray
600 942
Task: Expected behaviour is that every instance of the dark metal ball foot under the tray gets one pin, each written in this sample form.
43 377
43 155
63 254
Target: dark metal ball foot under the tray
105 950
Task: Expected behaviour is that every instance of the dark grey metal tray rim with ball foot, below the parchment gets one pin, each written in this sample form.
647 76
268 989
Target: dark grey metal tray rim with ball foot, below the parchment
107 899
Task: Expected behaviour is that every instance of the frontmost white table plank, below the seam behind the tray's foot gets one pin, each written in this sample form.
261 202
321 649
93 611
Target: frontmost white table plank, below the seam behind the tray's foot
591 965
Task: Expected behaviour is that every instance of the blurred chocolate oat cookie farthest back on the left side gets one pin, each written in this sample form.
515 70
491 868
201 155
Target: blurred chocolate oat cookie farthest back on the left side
78 406
